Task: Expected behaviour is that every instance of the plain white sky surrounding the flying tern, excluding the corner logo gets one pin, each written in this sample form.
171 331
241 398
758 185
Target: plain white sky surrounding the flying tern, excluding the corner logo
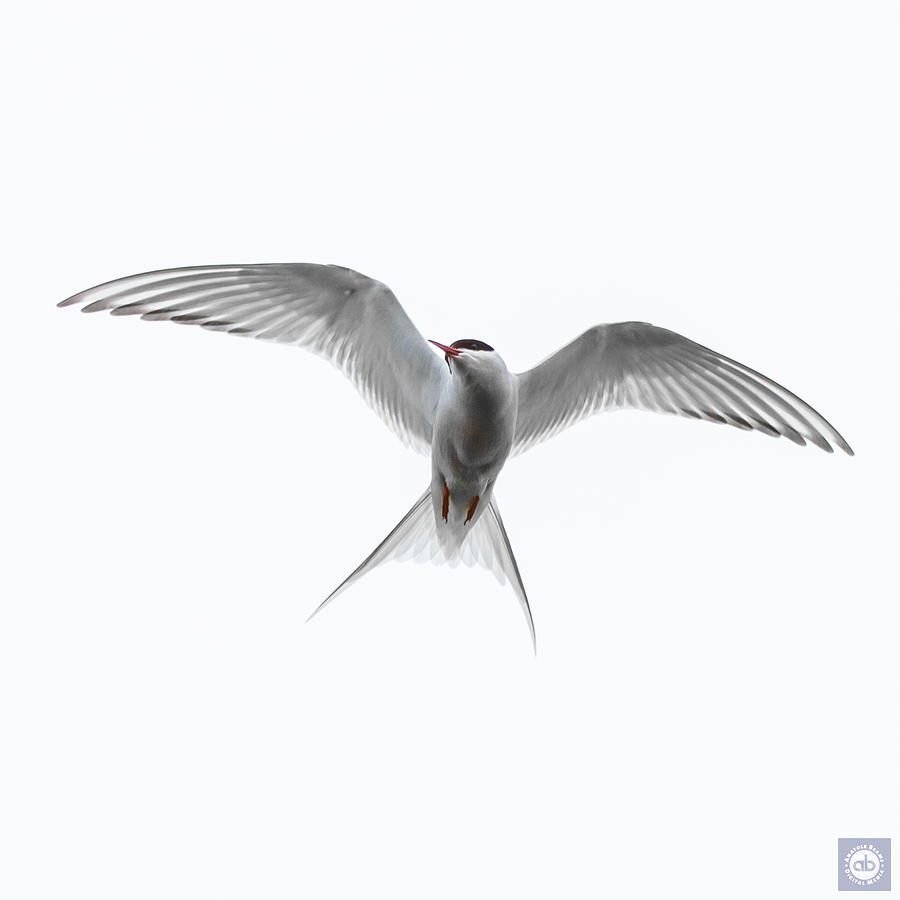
715 699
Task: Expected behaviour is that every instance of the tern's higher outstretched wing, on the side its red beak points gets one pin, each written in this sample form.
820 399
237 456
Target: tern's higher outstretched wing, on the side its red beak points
353 321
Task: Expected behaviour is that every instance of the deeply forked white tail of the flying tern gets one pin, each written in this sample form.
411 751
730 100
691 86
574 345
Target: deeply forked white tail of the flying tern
415 537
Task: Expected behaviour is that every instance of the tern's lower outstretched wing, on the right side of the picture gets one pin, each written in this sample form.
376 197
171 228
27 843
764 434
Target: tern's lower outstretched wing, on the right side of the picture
639 366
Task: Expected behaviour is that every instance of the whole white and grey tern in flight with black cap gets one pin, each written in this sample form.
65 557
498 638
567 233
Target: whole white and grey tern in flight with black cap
461 405
